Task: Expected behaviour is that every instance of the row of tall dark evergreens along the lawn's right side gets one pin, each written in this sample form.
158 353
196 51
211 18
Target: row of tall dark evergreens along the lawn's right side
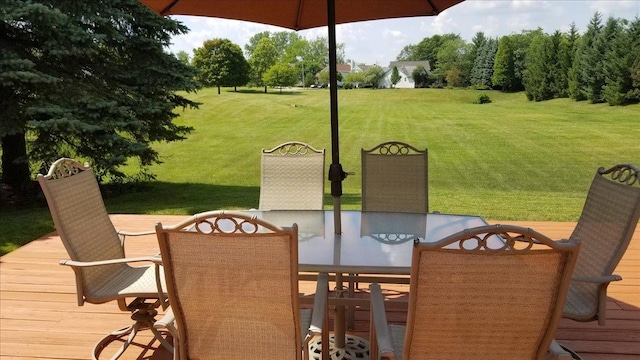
601 66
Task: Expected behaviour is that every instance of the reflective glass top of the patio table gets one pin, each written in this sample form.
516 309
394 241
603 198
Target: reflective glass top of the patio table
371 242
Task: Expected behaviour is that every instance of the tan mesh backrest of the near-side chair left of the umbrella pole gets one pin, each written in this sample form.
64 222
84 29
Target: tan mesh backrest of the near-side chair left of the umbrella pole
232 281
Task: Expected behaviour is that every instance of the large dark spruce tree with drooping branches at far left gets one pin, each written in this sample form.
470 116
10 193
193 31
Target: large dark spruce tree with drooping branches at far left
88 80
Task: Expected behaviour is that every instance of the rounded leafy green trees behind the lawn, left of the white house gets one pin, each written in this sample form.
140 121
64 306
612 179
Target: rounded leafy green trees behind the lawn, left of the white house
271 59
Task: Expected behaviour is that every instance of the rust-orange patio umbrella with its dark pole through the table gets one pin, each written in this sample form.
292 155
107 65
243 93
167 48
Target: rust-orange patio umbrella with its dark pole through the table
306 14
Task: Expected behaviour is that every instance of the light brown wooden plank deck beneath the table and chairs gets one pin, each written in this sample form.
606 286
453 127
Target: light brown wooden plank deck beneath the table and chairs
39 317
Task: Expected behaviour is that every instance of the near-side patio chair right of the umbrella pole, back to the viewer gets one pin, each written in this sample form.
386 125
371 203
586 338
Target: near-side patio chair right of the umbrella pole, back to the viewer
468 300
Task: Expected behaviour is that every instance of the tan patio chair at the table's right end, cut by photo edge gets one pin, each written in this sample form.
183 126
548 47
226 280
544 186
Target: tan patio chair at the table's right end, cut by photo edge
605 227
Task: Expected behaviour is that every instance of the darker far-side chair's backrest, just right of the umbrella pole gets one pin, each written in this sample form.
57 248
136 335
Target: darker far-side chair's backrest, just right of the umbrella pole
395 178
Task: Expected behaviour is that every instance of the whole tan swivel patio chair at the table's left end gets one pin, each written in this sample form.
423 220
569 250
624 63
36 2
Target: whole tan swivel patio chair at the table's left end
97 255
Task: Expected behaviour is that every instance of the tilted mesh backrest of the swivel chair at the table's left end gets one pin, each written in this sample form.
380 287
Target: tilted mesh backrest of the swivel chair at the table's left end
82 221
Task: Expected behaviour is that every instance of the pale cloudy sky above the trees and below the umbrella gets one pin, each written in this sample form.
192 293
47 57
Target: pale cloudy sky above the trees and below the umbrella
379 42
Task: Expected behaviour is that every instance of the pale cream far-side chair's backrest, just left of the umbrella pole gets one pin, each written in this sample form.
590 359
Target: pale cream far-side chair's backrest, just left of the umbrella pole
292 177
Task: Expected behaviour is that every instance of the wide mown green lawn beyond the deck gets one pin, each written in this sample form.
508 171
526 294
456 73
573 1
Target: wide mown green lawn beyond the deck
508 160
